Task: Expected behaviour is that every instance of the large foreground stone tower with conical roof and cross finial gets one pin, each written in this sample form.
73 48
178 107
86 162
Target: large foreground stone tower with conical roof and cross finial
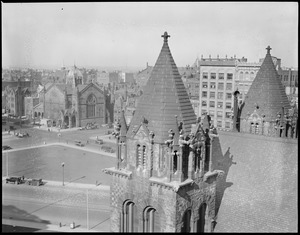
163 180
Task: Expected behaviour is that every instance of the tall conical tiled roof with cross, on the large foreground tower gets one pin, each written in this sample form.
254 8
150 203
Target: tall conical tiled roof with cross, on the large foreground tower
164 97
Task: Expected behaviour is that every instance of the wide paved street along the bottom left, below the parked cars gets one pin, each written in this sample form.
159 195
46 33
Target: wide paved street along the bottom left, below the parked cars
56 204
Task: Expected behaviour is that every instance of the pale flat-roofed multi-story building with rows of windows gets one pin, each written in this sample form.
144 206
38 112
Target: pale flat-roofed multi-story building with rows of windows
217 85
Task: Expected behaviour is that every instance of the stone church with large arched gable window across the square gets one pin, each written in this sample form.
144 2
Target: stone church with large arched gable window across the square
72 104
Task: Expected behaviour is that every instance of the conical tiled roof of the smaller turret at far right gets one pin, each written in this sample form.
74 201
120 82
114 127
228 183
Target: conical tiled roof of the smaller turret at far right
266 92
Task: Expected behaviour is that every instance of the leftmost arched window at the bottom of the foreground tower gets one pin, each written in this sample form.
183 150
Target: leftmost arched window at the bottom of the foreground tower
127 217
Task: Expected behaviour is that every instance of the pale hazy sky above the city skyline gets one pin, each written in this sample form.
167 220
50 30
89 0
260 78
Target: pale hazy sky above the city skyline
129 33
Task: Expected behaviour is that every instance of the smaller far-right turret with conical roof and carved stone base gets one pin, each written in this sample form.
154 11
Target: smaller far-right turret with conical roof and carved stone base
266 109
